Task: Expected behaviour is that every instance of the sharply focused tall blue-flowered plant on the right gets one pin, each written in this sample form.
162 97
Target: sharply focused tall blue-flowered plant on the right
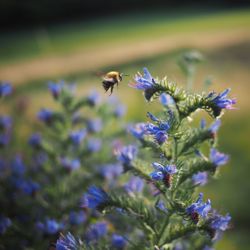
162 200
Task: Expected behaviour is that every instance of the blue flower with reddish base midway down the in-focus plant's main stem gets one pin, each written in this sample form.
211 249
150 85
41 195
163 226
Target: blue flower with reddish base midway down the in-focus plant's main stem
163 173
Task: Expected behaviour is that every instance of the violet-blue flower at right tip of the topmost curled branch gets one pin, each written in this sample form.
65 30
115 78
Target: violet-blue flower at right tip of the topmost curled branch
221 101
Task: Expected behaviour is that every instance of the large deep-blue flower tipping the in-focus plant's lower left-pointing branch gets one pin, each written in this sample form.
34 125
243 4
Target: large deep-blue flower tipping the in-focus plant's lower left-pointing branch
94 198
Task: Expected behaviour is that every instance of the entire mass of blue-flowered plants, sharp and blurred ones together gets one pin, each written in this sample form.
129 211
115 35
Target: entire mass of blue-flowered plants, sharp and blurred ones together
81 177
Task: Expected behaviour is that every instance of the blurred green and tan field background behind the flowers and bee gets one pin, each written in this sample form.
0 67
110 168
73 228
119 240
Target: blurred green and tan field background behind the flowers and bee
35 51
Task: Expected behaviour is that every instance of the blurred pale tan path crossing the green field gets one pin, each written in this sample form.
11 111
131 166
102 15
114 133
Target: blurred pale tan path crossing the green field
123 52
